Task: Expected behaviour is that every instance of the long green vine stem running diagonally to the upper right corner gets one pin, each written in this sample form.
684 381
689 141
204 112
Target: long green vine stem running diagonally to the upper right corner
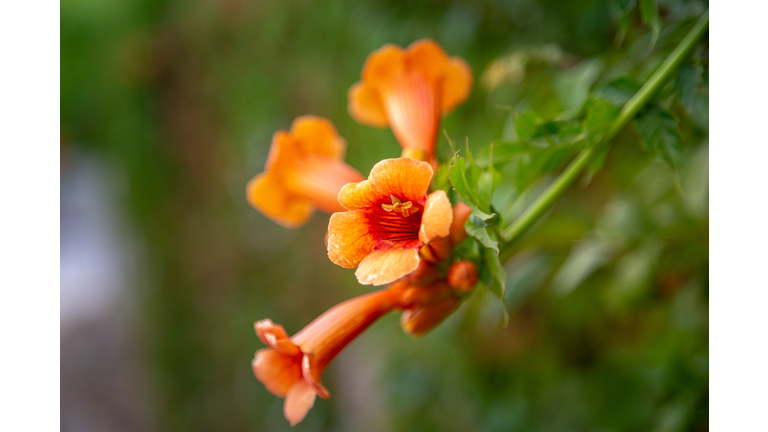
628 111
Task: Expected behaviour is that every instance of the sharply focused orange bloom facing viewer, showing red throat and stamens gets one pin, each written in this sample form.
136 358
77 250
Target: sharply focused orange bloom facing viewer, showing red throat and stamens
390 218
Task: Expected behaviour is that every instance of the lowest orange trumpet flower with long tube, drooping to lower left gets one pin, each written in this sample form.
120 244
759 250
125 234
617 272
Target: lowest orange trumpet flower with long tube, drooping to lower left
292 367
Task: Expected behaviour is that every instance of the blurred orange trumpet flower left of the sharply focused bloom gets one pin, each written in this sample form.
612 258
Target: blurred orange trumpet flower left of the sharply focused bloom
305 170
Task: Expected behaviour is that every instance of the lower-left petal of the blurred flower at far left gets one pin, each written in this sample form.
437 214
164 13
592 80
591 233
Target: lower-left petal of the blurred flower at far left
265 193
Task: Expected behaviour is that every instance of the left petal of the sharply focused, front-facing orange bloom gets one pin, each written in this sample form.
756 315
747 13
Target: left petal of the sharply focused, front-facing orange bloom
348 238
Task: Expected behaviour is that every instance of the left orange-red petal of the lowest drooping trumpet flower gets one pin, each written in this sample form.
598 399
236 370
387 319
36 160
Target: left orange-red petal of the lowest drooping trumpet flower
278 372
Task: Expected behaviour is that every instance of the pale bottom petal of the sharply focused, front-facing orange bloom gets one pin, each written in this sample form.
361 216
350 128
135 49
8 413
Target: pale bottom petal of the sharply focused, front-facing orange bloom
383 267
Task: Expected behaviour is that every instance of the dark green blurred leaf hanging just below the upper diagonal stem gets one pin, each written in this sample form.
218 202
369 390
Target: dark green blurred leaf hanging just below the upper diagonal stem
661 136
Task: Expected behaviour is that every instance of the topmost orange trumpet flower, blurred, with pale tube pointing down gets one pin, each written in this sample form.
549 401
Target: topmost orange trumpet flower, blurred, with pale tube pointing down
408 90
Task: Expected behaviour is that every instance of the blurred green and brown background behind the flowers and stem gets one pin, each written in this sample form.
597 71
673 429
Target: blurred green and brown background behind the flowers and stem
167 110
